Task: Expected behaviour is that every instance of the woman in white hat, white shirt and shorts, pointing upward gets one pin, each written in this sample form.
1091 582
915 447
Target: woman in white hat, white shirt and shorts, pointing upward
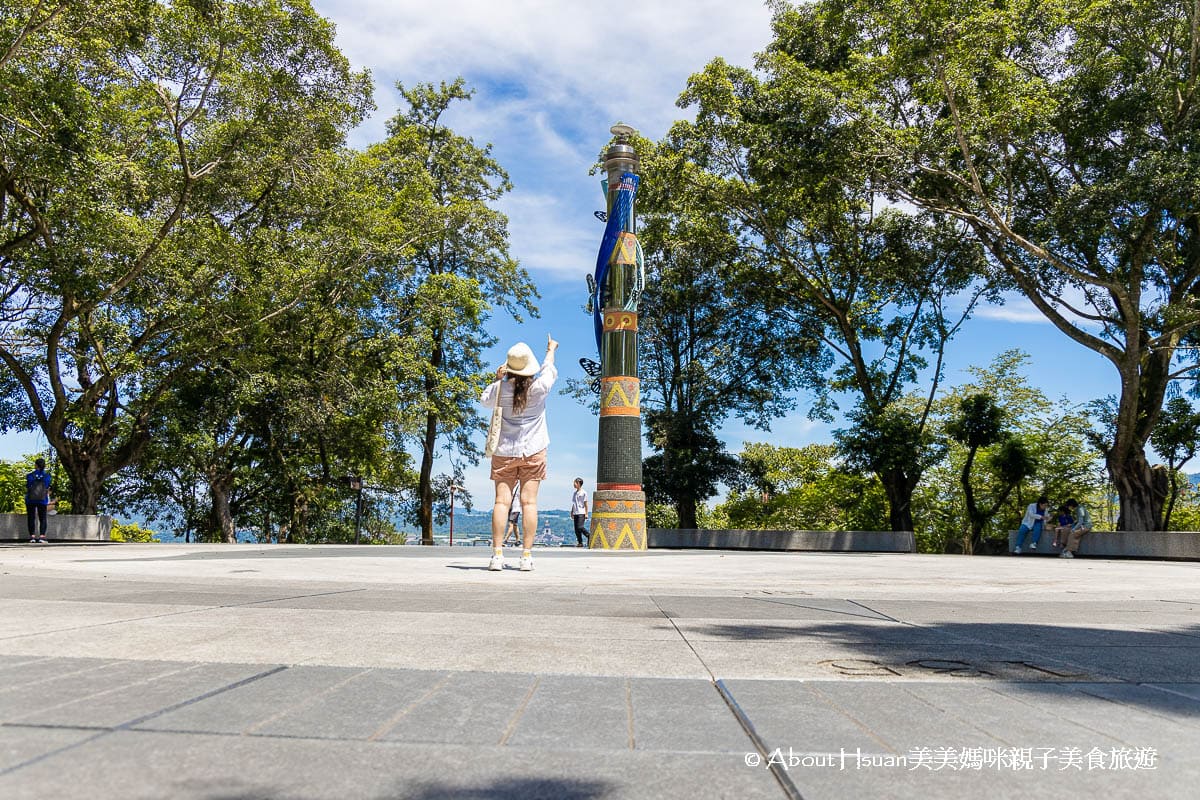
520 389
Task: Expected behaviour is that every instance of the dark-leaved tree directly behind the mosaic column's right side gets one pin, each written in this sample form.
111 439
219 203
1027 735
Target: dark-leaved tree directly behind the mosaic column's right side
710 351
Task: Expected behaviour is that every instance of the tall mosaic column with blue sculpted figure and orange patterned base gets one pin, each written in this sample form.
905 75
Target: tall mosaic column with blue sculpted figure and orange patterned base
619 506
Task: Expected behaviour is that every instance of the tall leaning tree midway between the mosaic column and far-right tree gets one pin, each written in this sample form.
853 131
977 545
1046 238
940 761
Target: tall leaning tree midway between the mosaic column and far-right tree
825 255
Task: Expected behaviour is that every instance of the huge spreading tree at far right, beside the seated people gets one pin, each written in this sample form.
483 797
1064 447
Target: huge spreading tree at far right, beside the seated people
1063 133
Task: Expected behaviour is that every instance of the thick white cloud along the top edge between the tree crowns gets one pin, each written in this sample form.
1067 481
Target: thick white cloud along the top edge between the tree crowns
567 55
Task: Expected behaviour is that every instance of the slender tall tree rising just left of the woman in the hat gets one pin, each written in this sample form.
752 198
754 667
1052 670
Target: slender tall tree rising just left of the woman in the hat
446 187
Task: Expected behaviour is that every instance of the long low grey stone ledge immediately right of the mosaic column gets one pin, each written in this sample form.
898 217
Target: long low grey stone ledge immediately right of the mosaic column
831 542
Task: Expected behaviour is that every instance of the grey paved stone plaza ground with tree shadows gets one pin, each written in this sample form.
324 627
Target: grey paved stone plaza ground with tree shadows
230 672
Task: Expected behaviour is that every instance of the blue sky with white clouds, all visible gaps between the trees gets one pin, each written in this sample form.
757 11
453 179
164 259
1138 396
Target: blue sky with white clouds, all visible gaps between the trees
551 77
